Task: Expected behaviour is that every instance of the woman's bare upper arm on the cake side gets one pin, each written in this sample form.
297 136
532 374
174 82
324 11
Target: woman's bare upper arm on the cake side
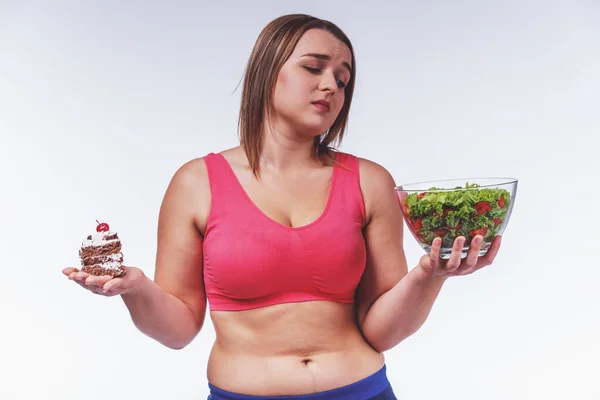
179 263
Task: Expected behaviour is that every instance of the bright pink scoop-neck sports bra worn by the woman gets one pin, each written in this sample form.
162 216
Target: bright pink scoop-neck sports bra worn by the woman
251 260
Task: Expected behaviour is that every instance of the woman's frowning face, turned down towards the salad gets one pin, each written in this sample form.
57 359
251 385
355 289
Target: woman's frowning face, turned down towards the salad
309 92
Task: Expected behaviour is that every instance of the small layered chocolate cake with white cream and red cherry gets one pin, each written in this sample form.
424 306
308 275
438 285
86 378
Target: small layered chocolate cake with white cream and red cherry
101 253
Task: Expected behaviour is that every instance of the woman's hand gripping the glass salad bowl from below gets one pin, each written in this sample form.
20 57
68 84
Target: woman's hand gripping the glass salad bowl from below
434 266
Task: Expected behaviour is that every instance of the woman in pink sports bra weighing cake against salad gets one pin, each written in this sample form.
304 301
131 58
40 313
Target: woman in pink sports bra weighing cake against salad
296 248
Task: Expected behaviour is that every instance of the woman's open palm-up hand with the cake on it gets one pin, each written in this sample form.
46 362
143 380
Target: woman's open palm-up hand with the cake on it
107 285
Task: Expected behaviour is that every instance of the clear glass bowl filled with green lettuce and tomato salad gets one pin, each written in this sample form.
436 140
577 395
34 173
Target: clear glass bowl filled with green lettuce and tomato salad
457 207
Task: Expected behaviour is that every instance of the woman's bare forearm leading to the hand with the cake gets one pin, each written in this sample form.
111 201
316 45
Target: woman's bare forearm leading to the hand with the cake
161 316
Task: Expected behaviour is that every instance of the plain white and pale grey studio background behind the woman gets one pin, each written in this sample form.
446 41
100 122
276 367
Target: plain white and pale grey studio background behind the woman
101 102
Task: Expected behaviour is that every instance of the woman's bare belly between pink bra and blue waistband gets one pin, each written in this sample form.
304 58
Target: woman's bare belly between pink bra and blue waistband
289 349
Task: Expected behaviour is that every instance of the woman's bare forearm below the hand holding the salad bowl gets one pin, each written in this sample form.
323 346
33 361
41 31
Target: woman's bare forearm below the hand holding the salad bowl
401 311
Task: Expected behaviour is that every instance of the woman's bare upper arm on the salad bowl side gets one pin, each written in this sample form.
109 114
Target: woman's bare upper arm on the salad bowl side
383 232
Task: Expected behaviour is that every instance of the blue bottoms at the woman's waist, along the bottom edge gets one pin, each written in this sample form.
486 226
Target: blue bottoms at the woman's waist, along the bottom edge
374 387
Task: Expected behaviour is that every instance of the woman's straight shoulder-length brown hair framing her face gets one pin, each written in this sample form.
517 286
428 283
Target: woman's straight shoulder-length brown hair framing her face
272 49
